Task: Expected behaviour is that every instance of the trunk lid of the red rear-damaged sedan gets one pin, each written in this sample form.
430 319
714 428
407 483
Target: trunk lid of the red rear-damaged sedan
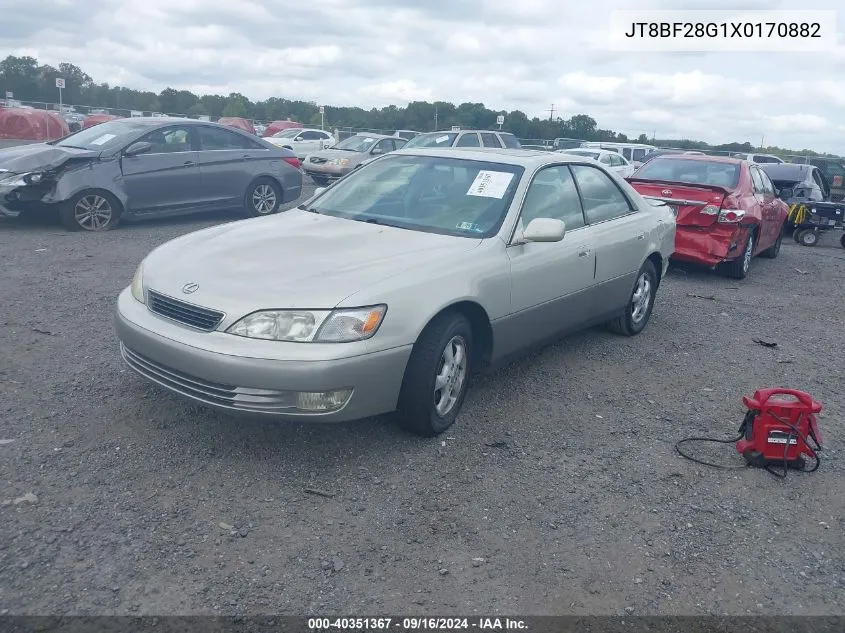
694 205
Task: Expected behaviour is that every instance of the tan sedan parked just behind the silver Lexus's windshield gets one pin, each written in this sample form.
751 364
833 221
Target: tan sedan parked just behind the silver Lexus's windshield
330 164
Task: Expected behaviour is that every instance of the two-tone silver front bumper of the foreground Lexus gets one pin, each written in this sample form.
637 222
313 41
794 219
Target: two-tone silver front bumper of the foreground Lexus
198 366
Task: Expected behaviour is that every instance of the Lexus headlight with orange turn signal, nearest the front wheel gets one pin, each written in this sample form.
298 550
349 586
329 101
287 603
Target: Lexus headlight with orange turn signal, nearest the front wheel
311 326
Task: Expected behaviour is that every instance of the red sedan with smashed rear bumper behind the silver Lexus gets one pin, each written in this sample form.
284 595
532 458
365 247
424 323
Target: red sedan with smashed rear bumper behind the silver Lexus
727 209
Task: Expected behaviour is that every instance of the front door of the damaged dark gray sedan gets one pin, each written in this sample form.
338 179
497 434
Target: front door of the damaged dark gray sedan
167 177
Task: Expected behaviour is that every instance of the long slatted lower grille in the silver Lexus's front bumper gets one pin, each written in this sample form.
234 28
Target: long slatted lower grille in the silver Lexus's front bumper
228 396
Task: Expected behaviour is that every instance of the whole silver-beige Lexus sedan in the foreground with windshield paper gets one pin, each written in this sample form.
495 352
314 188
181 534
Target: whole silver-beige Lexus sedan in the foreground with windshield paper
393 284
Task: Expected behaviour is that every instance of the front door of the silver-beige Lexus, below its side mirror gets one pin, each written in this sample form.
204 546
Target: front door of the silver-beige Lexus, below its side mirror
550 282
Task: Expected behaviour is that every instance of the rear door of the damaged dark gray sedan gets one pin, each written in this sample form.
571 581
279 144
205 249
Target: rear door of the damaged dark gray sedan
225 159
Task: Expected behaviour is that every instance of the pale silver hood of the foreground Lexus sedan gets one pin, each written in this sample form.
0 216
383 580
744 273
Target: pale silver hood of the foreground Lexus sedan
296 259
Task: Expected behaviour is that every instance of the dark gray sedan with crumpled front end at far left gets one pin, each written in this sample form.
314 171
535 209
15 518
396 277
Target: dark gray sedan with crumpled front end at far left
139 168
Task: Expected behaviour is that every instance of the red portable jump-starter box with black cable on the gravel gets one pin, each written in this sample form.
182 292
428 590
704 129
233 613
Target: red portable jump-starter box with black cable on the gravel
776 433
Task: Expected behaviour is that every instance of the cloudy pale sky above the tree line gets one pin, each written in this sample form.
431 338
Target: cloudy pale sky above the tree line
508 54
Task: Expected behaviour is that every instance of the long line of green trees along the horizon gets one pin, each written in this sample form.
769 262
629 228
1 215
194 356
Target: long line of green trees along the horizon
32 82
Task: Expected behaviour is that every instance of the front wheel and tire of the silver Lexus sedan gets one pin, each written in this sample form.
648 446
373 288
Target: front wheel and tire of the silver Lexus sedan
420 409
